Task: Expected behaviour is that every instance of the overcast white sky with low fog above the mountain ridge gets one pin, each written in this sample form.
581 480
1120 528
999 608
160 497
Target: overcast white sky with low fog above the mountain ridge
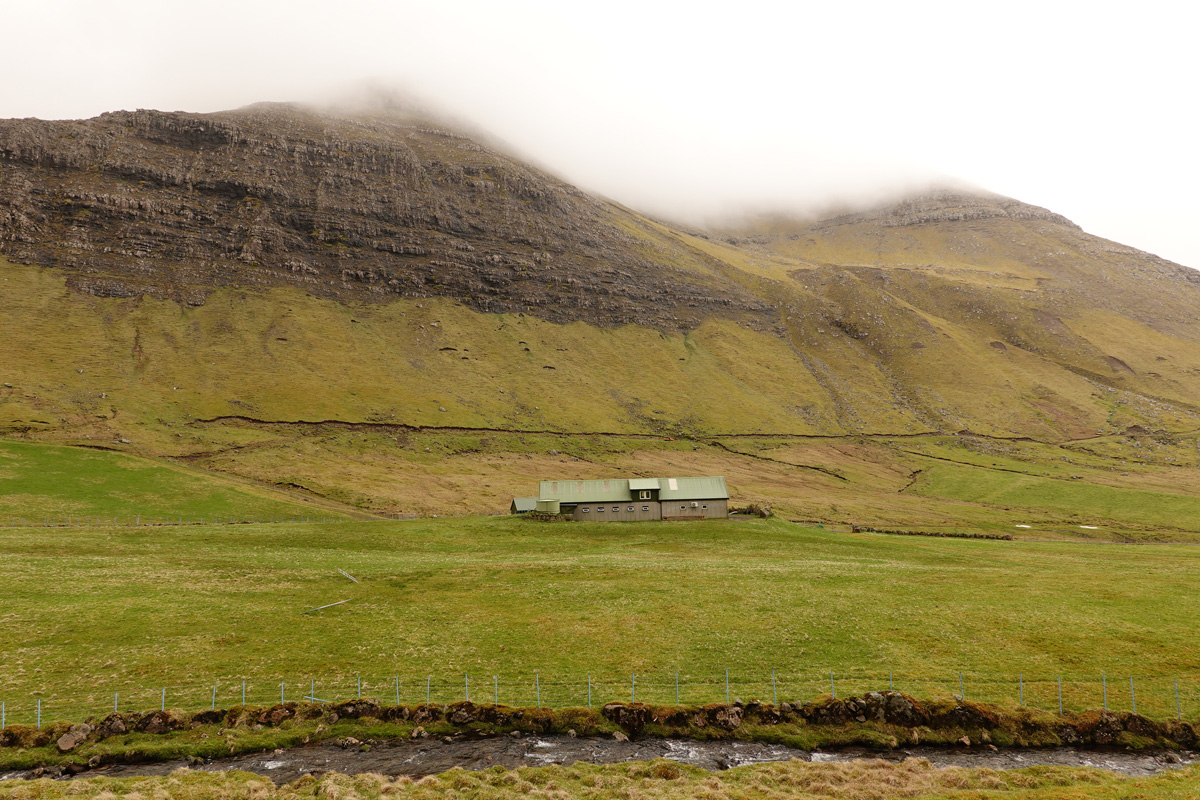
698 109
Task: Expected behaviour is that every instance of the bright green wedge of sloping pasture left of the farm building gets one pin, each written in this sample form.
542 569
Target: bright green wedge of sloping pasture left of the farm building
46 484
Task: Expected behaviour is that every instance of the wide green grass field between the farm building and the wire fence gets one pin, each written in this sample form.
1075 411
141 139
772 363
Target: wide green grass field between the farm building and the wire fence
92 612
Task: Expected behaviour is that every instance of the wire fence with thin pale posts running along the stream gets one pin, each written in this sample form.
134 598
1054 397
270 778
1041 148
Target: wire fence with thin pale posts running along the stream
1156 697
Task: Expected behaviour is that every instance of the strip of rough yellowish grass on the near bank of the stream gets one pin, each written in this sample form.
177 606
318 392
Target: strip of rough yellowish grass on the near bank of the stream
659 780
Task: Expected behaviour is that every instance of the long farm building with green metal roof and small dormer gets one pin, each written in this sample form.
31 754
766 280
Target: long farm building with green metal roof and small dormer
637 498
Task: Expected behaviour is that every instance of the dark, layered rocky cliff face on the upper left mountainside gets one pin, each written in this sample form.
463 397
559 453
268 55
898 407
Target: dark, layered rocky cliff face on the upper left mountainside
371 207
